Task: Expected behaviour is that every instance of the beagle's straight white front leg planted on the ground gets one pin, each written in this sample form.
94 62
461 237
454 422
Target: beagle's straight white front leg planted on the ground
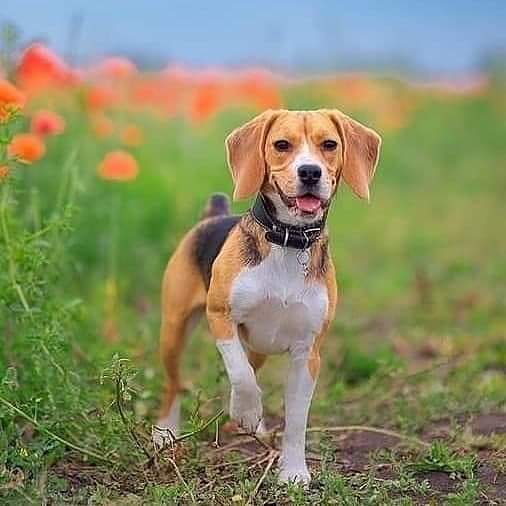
299 391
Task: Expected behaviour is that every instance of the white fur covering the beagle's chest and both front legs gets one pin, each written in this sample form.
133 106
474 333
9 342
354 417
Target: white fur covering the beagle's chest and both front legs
283 312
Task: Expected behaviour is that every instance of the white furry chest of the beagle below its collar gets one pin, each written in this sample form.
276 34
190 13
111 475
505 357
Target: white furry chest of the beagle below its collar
281 309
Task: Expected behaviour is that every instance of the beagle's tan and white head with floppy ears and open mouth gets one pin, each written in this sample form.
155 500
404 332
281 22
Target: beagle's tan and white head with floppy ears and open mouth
296 158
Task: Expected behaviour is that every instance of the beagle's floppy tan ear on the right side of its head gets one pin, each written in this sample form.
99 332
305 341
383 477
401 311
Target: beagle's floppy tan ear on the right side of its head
361 147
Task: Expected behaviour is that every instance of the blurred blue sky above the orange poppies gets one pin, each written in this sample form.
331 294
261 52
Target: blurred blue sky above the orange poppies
445 38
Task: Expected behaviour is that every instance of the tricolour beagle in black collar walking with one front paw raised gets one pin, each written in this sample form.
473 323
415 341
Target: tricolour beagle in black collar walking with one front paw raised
265 279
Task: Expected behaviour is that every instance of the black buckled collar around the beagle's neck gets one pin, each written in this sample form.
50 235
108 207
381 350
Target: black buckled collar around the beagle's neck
282 234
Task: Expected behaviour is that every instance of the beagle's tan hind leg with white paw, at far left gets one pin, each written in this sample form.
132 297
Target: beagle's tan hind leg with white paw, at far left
183 302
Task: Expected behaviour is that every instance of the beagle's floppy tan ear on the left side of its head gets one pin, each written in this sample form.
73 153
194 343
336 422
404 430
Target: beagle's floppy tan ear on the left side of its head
245 154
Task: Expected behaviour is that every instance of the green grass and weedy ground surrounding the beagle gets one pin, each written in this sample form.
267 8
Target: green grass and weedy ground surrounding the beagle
417 349
